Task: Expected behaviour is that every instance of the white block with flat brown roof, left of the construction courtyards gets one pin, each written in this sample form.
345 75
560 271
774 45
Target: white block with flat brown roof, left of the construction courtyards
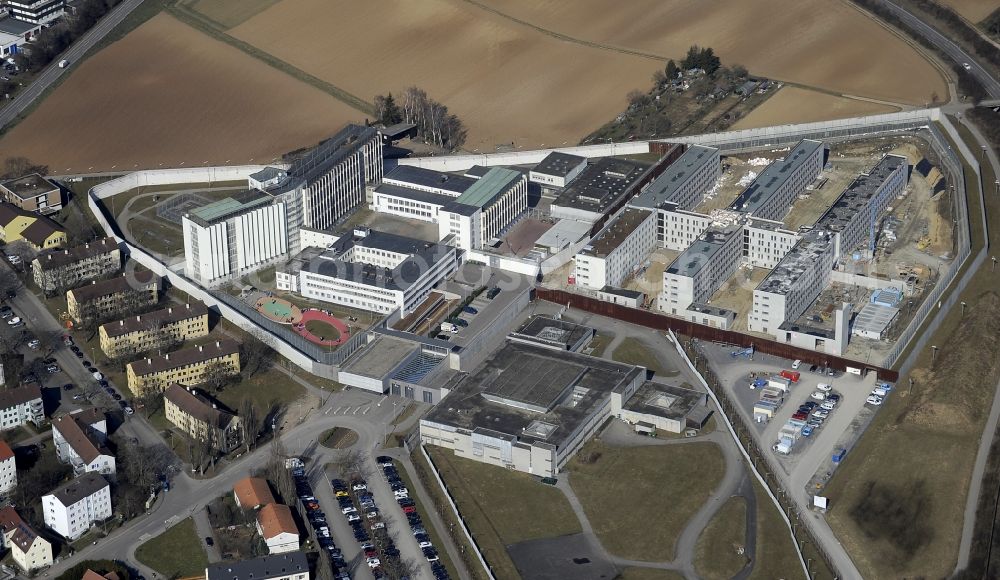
616 251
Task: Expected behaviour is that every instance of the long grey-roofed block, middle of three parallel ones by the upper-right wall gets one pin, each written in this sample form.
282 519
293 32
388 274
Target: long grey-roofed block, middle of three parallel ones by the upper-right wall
771 194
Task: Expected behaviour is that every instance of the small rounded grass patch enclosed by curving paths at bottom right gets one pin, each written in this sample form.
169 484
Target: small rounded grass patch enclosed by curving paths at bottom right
716 555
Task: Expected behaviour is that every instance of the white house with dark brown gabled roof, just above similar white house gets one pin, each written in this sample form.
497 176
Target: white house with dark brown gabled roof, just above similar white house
80 440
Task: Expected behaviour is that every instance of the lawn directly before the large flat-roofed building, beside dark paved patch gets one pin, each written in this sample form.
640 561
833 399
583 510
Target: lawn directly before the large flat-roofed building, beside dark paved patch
530 509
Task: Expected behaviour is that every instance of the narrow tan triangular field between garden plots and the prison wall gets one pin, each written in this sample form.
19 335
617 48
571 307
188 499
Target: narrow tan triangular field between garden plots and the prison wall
798 105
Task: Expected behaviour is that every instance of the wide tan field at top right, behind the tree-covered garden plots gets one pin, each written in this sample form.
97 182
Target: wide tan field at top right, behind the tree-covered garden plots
821 43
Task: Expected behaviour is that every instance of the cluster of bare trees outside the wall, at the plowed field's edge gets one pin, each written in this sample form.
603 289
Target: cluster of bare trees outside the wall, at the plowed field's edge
434 123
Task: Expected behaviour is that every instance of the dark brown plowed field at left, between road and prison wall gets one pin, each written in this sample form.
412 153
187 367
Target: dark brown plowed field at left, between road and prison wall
169 95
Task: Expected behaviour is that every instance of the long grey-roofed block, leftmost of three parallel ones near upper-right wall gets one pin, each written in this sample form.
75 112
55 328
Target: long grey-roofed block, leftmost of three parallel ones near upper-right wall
684 182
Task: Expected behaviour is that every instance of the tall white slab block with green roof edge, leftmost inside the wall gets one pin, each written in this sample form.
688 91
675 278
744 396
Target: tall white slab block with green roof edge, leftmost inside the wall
234 236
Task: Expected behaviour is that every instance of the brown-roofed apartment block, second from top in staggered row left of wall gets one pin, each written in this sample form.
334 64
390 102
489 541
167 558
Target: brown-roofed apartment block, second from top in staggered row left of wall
105 299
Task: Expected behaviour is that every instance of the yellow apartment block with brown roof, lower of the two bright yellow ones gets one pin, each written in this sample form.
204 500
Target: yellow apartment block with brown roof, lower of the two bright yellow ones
190 366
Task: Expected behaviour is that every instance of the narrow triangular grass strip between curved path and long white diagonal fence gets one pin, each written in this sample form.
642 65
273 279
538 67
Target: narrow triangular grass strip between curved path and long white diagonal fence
776 556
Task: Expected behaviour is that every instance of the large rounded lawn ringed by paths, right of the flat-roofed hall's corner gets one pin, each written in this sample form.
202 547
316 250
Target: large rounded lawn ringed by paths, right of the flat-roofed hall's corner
670 481
